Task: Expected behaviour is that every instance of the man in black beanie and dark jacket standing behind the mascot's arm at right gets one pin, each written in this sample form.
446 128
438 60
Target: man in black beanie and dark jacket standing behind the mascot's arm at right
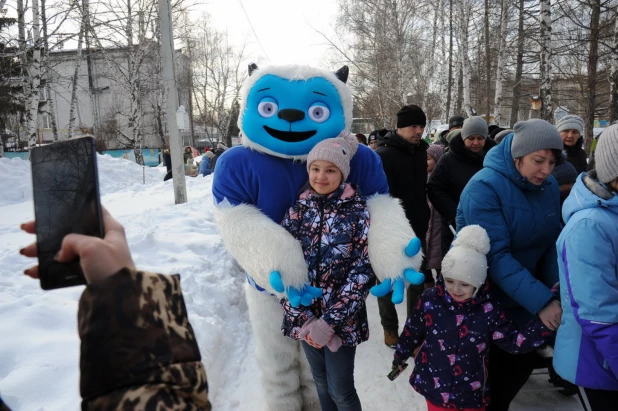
404 158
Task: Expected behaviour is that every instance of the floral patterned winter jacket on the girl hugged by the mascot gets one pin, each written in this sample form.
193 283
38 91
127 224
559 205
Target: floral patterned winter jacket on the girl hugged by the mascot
333 231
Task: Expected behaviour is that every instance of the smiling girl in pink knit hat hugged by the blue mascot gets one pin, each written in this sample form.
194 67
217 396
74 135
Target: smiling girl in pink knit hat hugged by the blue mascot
331 221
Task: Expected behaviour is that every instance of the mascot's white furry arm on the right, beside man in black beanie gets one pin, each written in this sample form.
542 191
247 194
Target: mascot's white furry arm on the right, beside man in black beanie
389 234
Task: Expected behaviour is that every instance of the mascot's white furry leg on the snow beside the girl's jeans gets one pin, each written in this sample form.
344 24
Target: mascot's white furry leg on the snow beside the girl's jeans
277 356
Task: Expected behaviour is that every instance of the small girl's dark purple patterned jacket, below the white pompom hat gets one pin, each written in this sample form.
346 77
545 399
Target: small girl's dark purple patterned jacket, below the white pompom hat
451 367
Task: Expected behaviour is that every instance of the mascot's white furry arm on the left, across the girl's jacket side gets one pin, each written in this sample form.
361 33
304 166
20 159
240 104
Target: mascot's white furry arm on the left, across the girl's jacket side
261 246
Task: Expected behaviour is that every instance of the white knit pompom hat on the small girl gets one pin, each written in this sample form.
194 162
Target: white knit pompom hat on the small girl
466 261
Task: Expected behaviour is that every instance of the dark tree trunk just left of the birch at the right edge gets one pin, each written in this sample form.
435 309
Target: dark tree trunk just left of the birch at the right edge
591 88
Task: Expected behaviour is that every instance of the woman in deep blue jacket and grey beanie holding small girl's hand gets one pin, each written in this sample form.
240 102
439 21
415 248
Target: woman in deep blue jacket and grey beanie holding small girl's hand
516 200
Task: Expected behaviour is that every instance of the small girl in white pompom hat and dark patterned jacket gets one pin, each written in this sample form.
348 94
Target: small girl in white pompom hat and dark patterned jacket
454 324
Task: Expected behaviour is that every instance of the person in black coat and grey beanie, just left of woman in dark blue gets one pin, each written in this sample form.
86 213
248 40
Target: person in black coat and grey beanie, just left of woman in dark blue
464 159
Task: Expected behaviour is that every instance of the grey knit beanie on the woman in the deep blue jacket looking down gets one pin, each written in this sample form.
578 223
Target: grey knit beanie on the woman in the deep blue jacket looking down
534 135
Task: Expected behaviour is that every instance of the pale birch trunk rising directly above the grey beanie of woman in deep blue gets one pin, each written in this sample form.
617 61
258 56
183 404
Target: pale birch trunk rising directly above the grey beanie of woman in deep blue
546 52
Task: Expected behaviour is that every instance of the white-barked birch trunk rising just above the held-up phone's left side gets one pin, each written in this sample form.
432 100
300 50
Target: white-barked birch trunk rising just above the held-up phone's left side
35 78
